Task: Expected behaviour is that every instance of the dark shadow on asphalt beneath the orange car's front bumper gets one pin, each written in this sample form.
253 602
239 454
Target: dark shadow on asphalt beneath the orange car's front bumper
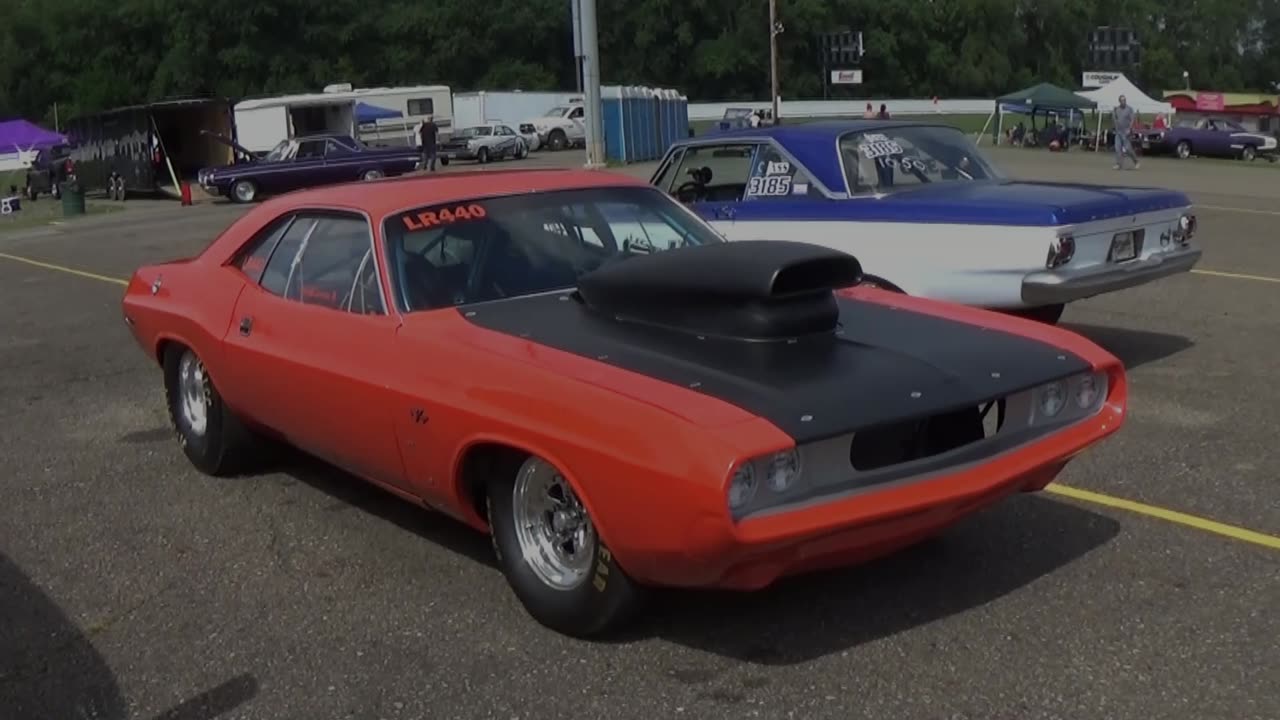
986 558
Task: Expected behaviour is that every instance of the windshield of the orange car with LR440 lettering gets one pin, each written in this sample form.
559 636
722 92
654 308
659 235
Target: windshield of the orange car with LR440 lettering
496 248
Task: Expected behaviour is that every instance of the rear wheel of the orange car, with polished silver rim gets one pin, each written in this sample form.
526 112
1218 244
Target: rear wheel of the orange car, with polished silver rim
212 436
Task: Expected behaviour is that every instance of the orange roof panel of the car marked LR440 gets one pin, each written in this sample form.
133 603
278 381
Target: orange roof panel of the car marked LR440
387 197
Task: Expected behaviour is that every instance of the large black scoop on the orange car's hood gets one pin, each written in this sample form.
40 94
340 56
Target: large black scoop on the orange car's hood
747 290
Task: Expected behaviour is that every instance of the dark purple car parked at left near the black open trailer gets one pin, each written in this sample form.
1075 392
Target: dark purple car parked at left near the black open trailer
304 162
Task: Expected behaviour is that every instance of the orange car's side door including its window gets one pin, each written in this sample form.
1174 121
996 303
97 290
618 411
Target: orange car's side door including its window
310 343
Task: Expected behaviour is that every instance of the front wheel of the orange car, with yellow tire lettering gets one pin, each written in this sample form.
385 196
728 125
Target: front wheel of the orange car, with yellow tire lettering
551 554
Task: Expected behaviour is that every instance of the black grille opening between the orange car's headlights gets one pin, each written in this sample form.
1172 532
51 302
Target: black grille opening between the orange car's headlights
918 439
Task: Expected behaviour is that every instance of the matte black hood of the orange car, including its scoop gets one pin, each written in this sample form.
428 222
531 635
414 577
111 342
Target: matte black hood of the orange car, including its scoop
705 318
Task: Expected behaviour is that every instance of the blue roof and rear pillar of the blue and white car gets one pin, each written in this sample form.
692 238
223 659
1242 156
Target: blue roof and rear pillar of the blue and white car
812 144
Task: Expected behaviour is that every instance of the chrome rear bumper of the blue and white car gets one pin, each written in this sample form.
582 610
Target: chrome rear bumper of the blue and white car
1064 285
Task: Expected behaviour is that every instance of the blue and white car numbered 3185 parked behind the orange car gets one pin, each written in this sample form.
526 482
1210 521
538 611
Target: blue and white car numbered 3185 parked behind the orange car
927 215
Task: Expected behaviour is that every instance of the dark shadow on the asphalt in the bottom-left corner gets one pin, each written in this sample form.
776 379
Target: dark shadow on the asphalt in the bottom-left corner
49 669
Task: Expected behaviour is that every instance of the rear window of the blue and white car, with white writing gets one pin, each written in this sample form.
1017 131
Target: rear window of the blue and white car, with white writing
903 158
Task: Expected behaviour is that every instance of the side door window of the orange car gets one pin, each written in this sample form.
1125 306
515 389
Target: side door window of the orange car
327 261
